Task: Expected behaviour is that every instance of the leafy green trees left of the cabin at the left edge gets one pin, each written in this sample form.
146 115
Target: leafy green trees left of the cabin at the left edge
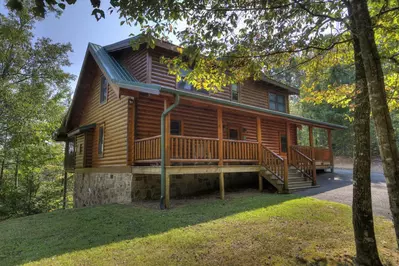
33 94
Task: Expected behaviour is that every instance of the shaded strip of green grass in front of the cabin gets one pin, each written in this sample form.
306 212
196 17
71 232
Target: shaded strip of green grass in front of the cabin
45 235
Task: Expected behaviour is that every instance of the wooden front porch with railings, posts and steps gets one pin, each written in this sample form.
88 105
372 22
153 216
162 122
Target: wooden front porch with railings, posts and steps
292 169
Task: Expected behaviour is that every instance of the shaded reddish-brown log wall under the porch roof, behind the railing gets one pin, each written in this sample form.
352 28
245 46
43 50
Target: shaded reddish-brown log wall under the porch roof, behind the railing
198 121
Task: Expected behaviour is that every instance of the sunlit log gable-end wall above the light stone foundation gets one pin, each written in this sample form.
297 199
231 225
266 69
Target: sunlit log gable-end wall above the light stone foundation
113 115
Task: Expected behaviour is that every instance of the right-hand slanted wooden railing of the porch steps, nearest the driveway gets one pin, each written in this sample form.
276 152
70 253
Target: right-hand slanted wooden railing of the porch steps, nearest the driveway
303 163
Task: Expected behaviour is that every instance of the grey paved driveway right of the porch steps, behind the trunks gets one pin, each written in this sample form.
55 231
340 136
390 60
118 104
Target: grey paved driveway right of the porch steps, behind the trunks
338 187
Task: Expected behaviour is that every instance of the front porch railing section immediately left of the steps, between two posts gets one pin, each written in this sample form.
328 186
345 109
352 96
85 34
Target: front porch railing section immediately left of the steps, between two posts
240 151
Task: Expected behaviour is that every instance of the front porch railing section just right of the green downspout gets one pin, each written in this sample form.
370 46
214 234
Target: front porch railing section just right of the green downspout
193 149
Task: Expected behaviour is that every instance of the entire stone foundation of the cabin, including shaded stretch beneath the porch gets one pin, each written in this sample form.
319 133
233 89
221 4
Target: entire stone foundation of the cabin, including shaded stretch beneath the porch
104 188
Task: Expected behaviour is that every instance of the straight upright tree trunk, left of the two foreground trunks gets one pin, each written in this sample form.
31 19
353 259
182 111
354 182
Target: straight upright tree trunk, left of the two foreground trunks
362 213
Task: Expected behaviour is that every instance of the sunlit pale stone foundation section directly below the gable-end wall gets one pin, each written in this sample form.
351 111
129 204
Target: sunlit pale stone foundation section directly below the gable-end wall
102 188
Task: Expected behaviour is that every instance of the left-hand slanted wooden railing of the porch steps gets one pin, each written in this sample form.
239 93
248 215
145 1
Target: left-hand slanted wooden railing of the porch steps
275 164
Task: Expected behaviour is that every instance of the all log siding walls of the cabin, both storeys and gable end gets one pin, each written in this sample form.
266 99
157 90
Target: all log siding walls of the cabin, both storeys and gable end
197 121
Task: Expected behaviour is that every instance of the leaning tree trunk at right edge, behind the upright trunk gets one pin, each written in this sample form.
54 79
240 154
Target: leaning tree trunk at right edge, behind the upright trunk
379 107
